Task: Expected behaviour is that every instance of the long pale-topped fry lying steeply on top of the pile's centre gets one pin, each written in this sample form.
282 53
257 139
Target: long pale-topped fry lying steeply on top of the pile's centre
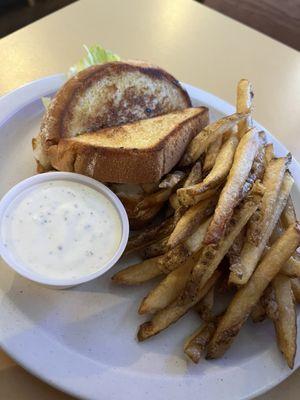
230 195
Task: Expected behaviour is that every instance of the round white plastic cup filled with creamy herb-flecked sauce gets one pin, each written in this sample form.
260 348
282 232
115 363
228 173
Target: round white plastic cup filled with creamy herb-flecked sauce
62 229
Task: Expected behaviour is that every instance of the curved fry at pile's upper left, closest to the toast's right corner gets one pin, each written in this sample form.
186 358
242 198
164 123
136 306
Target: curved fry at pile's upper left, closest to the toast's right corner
208 135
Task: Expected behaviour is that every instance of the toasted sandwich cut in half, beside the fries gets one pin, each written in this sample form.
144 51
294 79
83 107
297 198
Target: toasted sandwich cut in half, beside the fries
126 124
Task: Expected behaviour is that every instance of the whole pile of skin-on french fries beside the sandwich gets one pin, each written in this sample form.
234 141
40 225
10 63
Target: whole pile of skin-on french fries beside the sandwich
232 227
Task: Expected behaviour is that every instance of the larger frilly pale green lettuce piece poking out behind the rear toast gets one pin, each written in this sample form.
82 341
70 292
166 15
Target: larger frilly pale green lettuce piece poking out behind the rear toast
96 54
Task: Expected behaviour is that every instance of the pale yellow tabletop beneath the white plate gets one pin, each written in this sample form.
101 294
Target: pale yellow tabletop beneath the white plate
196 44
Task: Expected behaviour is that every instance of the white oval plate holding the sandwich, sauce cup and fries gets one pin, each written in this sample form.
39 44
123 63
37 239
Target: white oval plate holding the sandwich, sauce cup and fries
82 340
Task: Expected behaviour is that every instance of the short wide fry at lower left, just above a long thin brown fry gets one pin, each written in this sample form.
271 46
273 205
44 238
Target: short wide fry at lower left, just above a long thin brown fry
168 289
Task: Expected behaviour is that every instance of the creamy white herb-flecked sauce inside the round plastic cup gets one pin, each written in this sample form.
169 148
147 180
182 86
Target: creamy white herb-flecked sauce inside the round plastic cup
62 229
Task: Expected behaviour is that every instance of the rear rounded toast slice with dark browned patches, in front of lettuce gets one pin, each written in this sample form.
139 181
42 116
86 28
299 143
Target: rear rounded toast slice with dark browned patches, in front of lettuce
107 95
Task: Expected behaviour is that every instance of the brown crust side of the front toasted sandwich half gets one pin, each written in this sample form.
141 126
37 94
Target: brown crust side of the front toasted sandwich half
124 165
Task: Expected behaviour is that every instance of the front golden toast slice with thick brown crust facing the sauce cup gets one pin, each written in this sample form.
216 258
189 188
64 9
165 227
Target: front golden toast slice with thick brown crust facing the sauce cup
140 152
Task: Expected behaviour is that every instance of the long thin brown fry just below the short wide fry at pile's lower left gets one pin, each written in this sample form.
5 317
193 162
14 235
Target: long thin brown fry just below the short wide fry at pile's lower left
170 314
